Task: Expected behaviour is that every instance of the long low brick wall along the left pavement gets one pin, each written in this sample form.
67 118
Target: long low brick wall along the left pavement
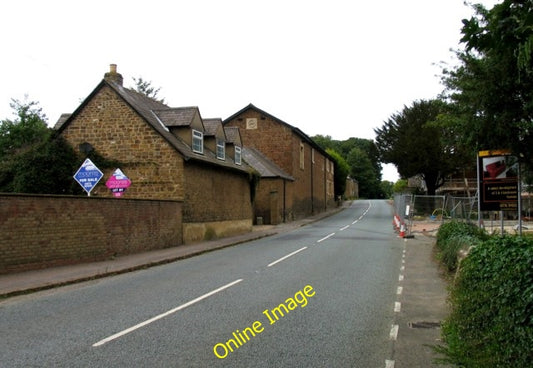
43 231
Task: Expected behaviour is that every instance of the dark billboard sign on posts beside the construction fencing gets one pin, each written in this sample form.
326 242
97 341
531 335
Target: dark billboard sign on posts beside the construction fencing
498 181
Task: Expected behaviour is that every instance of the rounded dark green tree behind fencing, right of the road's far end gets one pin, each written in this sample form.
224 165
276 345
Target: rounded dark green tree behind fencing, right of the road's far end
413 142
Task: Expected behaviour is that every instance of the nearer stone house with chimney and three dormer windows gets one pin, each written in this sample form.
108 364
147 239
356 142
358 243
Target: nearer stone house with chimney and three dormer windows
168 154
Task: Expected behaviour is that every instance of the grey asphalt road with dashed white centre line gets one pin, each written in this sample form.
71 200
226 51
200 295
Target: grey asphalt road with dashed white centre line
321 295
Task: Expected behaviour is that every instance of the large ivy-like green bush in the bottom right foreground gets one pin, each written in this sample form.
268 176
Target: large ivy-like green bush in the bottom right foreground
491 322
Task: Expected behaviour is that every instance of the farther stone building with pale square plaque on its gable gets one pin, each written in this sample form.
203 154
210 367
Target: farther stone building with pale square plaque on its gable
299 181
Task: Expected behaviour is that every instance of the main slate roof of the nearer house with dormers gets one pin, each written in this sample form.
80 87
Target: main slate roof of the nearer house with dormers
157 115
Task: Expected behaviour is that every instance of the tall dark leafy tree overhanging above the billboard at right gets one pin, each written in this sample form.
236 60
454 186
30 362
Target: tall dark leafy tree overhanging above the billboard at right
492 88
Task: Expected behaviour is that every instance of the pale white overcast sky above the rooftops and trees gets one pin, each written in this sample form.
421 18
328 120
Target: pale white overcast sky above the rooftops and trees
335 67
